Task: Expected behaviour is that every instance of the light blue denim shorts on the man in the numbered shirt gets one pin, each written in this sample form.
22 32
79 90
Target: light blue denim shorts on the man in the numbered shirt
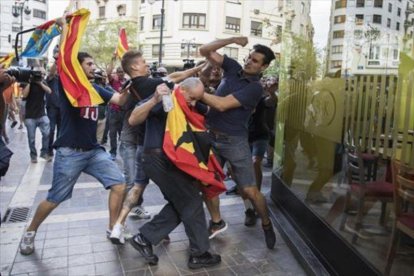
68 165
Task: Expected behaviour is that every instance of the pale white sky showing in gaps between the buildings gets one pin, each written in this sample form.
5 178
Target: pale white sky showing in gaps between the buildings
320 11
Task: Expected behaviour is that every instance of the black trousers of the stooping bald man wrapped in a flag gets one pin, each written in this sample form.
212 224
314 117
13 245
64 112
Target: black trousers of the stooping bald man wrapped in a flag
185 204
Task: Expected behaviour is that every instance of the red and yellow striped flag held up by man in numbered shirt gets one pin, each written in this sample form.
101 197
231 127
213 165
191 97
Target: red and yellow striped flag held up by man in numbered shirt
76 85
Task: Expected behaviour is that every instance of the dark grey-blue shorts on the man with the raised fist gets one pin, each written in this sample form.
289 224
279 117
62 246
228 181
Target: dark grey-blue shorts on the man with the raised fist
236 151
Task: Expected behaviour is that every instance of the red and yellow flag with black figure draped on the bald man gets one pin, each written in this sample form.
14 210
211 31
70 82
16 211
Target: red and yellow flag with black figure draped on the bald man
186 143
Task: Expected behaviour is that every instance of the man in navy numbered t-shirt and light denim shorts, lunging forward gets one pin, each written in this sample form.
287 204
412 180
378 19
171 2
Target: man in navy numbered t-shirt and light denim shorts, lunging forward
77 150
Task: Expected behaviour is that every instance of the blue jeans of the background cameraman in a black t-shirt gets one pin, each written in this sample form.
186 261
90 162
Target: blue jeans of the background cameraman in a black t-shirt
43 124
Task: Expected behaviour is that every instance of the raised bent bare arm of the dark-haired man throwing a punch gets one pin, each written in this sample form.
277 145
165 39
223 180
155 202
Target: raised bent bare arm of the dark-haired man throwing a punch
209 50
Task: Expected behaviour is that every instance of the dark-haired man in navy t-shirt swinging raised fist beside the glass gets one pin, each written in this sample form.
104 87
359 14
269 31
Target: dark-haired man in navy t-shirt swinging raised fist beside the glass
231 107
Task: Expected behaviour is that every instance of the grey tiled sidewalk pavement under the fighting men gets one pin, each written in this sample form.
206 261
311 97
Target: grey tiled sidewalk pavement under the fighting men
72 241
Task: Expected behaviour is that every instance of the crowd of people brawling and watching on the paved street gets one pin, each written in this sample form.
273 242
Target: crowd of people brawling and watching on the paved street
232 98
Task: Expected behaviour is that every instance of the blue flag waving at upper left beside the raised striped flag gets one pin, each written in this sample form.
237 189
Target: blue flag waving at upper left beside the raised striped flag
40 40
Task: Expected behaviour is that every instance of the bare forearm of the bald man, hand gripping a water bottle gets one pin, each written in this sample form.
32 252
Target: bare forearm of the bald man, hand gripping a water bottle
140 113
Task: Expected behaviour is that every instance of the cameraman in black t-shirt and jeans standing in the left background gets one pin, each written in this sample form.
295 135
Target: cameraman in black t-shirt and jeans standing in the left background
34 93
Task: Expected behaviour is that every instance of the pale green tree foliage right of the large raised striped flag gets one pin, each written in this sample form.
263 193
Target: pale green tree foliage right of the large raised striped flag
100 39
